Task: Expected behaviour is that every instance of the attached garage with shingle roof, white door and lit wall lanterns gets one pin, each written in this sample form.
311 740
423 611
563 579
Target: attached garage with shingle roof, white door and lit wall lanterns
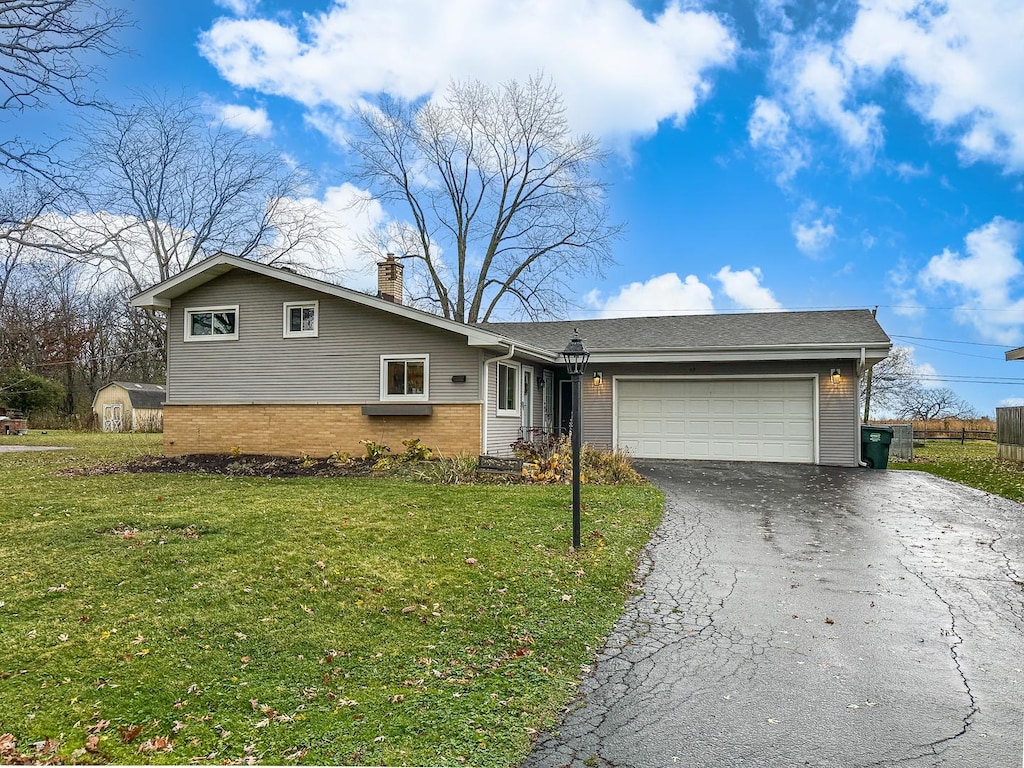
758 388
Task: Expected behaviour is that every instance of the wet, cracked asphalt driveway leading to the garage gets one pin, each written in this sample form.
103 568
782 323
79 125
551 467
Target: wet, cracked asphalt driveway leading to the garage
812 616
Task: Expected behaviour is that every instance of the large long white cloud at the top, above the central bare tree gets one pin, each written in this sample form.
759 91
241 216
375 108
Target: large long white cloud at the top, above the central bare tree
621 73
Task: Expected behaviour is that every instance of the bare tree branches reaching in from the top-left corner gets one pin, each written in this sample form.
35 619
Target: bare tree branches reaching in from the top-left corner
48 53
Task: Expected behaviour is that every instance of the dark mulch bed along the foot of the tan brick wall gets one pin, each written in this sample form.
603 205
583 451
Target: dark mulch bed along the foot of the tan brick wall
244 465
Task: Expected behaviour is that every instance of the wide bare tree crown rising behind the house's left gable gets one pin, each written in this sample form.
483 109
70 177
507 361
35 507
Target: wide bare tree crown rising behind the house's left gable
162 189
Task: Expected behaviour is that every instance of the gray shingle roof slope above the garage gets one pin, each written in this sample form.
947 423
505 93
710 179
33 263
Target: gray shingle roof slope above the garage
703 331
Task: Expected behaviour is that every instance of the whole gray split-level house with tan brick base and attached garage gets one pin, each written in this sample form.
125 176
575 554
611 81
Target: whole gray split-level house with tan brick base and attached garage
264 360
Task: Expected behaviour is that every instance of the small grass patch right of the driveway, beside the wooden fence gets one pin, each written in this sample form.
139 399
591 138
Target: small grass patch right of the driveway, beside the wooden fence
972 464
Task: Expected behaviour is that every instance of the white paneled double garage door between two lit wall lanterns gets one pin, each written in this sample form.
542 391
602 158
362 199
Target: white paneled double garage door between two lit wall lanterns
764 420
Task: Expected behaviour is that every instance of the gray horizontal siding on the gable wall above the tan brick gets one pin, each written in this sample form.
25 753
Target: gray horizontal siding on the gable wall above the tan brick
342 366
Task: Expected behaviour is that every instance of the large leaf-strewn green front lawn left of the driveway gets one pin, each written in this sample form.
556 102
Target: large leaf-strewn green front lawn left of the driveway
181 619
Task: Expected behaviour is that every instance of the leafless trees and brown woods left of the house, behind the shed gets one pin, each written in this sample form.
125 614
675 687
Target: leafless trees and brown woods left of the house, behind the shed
155 189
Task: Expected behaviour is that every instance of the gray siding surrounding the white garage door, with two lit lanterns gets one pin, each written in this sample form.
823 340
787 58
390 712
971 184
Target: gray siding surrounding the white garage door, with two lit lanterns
838 440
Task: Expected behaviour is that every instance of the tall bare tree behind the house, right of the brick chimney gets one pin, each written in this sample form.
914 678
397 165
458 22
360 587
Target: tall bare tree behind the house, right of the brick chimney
504 203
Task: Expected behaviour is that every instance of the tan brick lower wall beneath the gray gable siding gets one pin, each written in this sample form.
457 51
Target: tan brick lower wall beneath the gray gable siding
315 431
